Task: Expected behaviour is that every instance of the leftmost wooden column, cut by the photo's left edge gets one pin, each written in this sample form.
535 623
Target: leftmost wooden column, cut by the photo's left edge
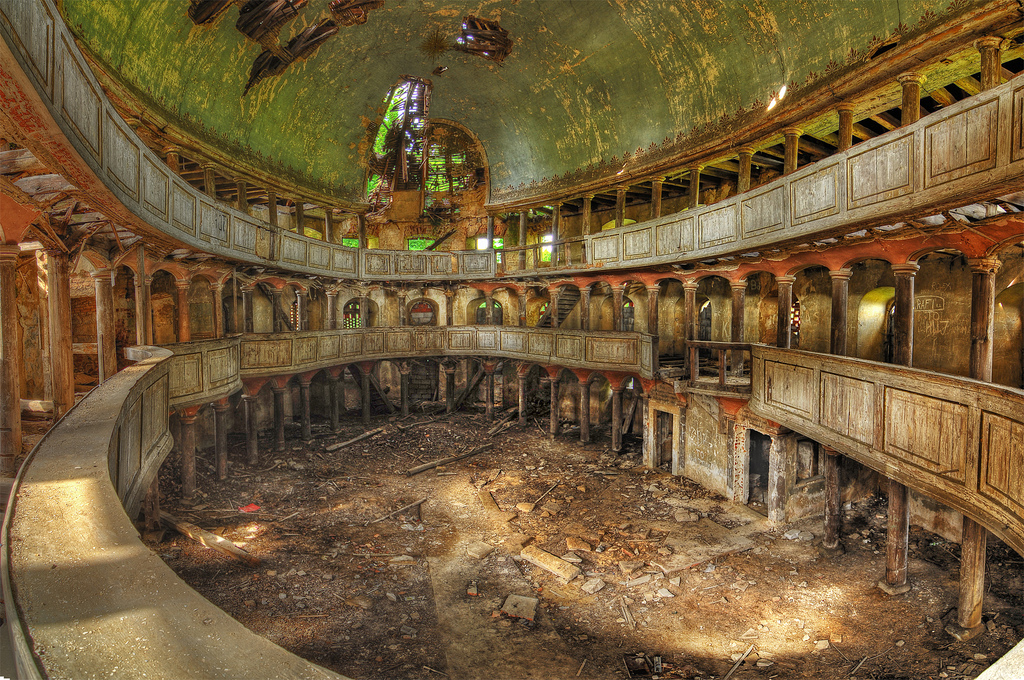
11 364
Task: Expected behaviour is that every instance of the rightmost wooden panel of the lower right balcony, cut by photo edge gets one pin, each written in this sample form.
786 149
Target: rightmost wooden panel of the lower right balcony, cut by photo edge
1003 461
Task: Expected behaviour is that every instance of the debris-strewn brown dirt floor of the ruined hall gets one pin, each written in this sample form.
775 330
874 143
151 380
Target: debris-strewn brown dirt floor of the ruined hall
676 573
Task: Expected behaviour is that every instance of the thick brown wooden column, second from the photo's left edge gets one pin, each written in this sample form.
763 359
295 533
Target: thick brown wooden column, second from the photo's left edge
62 356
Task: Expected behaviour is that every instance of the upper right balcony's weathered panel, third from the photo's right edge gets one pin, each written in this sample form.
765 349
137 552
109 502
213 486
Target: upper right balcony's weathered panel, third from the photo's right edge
881 174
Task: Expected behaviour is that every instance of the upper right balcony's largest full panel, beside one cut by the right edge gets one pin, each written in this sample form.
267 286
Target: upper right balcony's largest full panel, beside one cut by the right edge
962 145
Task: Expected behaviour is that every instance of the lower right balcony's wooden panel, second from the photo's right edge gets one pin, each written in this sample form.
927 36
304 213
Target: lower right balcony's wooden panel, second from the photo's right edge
927 432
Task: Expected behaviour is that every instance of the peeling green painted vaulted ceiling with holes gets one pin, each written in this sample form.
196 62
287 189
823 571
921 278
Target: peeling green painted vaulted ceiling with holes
588 80
